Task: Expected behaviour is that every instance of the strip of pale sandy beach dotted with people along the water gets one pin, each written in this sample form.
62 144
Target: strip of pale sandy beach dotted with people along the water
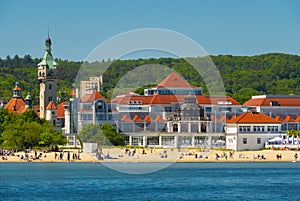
162 155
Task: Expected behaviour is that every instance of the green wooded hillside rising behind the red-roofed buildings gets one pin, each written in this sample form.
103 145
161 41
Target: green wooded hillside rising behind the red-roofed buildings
243 76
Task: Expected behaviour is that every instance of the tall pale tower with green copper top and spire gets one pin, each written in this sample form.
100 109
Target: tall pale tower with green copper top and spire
47 76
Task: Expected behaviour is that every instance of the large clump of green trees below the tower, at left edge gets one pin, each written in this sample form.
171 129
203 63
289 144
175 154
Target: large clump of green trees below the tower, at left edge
27 131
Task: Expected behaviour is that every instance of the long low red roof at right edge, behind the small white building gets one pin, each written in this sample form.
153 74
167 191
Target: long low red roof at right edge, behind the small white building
266 101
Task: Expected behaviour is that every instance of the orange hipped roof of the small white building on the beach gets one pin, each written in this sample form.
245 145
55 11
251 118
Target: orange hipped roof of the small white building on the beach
253 117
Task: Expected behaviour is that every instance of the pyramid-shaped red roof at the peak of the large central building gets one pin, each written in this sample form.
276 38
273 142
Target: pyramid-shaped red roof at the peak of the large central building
174 80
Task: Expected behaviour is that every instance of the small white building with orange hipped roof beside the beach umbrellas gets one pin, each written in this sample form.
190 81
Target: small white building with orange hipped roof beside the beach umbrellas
250 131
